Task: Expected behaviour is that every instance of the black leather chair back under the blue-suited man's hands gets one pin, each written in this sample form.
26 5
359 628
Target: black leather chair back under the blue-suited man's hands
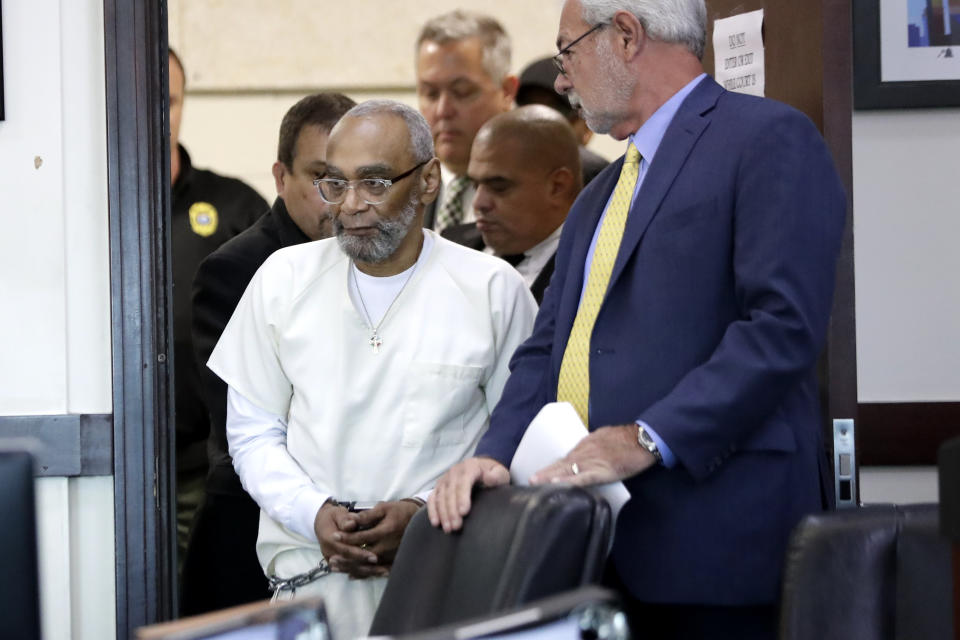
517 545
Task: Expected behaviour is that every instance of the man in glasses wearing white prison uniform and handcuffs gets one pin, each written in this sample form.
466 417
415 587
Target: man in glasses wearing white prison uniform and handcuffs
360 368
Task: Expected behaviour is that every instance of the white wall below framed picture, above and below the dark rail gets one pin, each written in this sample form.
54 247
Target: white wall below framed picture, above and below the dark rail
906 181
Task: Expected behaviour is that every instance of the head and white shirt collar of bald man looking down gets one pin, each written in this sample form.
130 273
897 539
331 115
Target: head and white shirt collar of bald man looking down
525 168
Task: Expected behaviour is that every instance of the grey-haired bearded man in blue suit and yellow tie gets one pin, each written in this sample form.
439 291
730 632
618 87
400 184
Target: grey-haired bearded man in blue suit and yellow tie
690 302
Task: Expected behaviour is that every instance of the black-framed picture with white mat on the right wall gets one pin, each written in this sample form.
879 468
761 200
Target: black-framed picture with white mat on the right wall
906 53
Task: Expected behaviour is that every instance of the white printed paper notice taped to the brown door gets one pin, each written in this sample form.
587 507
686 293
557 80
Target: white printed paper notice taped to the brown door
738 53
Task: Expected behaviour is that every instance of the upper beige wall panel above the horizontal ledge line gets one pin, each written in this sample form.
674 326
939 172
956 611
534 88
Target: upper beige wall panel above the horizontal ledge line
249 44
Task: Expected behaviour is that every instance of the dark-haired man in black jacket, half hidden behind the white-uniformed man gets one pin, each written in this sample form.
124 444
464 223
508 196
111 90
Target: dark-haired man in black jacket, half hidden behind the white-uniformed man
221 568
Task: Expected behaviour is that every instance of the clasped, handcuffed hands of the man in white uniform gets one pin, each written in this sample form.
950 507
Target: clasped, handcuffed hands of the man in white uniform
362 544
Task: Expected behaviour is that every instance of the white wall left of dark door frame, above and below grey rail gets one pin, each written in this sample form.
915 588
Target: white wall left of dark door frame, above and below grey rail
54 279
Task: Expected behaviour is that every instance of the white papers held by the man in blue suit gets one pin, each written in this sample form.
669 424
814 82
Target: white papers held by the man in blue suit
553 433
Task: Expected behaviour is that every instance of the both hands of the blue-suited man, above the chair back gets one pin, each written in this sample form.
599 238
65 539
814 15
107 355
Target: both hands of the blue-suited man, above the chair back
605 455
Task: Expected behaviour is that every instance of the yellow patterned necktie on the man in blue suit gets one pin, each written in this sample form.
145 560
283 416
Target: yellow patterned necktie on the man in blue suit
574 384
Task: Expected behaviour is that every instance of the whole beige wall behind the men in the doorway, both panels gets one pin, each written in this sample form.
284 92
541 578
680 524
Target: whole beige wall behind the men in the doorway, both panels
247 65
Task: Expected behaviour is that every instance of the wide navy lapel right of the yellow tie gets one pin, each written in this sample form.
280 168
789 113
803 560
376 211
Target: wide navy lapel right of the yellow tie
678 141
